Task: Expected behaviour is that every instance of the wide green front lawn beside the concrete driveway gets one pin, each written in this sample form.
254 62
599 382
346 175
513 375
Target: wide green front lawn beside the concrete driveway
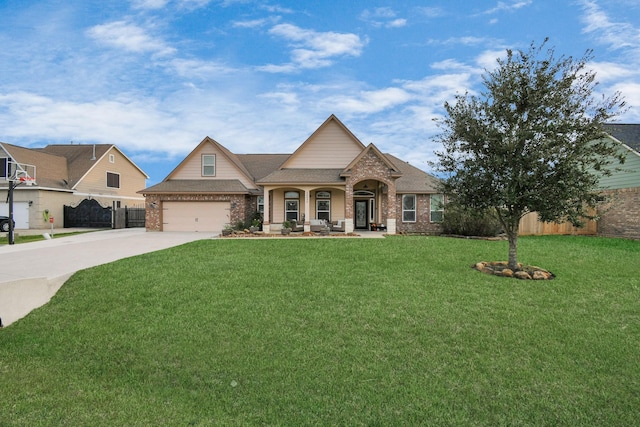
395 331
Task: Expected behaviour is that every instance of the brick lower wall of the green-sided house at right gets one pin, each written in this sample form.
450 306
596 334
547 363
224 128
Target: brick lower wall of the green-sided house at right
621 216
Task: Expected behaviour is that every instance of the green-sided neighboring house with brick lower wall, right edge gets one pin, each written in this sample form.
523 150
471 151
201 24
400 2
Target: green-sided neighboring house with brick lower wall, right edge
621 216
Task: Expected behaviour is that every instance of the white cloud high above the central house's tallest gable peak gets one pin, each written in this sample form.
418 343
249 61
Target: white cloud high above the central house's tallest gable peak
312 49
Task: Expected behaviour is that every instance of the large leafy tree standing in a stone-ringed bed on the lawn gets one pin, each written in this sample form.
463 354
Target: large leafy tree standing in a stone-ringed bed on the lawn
532 141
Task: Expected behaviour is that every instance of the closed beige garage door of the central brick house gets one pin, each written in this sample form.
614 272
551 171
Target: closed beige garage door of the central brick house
195 216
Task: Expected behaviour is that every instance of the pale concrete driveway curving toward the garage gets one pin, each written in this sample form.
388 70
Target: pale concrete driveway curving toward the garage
31 273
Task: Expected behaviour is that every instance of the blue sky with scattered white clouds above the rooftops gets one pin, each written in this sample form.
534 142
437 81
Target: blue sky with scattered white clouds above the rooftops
155 77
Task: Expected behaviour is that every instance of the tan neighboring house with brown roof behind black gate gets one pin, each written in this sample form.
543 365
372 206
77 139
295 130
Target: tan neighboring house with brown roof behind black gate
67 175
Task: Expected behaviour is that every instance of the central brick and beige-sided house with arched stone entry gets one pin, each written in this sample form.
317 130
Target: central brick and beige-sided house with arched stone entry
332 176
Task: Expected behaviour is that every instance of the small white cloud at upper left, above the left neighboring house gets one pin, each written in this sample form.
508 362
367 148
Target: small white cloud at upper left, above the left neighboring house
129 37
